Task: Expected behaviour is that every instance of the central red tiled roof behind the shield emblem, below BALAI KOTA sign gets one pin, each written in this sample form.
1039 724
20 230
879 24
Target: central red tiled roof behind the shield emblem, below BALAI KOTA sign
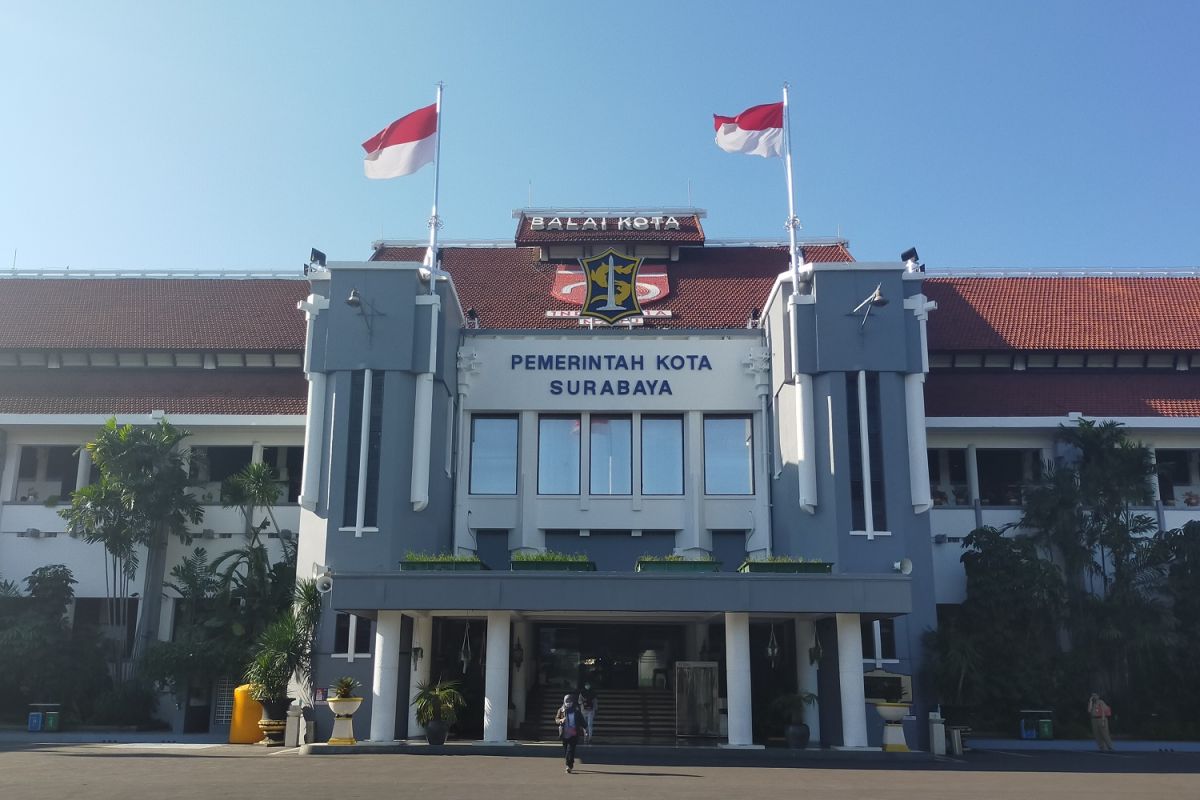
711 287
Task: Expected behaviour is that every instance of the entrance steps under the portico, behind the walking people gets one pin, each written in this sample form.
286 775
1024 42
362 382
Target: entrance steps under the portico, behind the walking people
623 717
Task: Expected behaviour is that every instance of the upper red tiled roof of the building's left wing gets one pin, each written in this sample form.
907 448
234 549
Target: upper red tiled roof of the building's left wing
152 314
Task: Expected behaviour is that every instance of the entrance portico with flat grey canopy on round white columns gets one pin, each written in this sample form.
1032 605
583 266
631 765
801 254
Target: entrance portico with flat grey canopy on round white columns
613 655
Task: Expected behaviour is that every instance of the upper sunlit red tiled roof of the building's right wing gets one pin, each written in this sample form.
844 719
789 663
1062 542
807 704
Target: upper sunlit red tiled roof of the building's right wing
1057 314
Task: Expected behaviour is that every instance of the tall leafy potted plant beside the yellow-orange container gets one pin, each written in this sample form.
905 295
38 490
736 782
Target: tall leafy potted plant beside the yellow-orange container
284 653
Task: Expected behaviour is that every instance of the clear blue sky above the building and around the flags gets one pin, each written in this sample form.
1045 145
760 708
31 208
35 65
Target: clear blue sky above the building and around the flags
226 134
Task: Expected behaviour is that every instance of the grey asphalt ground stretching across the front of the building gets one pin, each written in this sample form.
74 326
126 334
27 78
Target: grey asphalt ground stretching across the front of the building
199 772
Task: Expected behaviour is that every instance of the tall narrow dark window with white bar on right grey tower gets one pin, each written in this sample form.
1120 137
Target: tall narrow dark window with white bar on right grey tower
865 488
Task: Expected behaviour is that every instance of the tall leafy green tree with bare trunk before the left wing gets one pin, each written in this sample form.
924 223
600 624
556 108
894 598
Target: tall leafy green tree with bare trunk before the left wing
140 501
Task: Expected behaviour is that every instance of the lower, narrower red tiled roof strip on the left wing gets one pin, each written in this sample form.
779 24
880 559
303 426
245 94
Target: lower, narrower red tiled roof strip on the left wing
141 392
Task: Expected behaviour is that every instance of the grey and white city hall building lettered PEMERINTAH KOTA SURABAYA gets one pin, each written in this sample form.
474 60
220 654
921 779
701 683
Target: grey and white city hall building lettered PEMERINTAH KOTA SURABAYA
866 423
